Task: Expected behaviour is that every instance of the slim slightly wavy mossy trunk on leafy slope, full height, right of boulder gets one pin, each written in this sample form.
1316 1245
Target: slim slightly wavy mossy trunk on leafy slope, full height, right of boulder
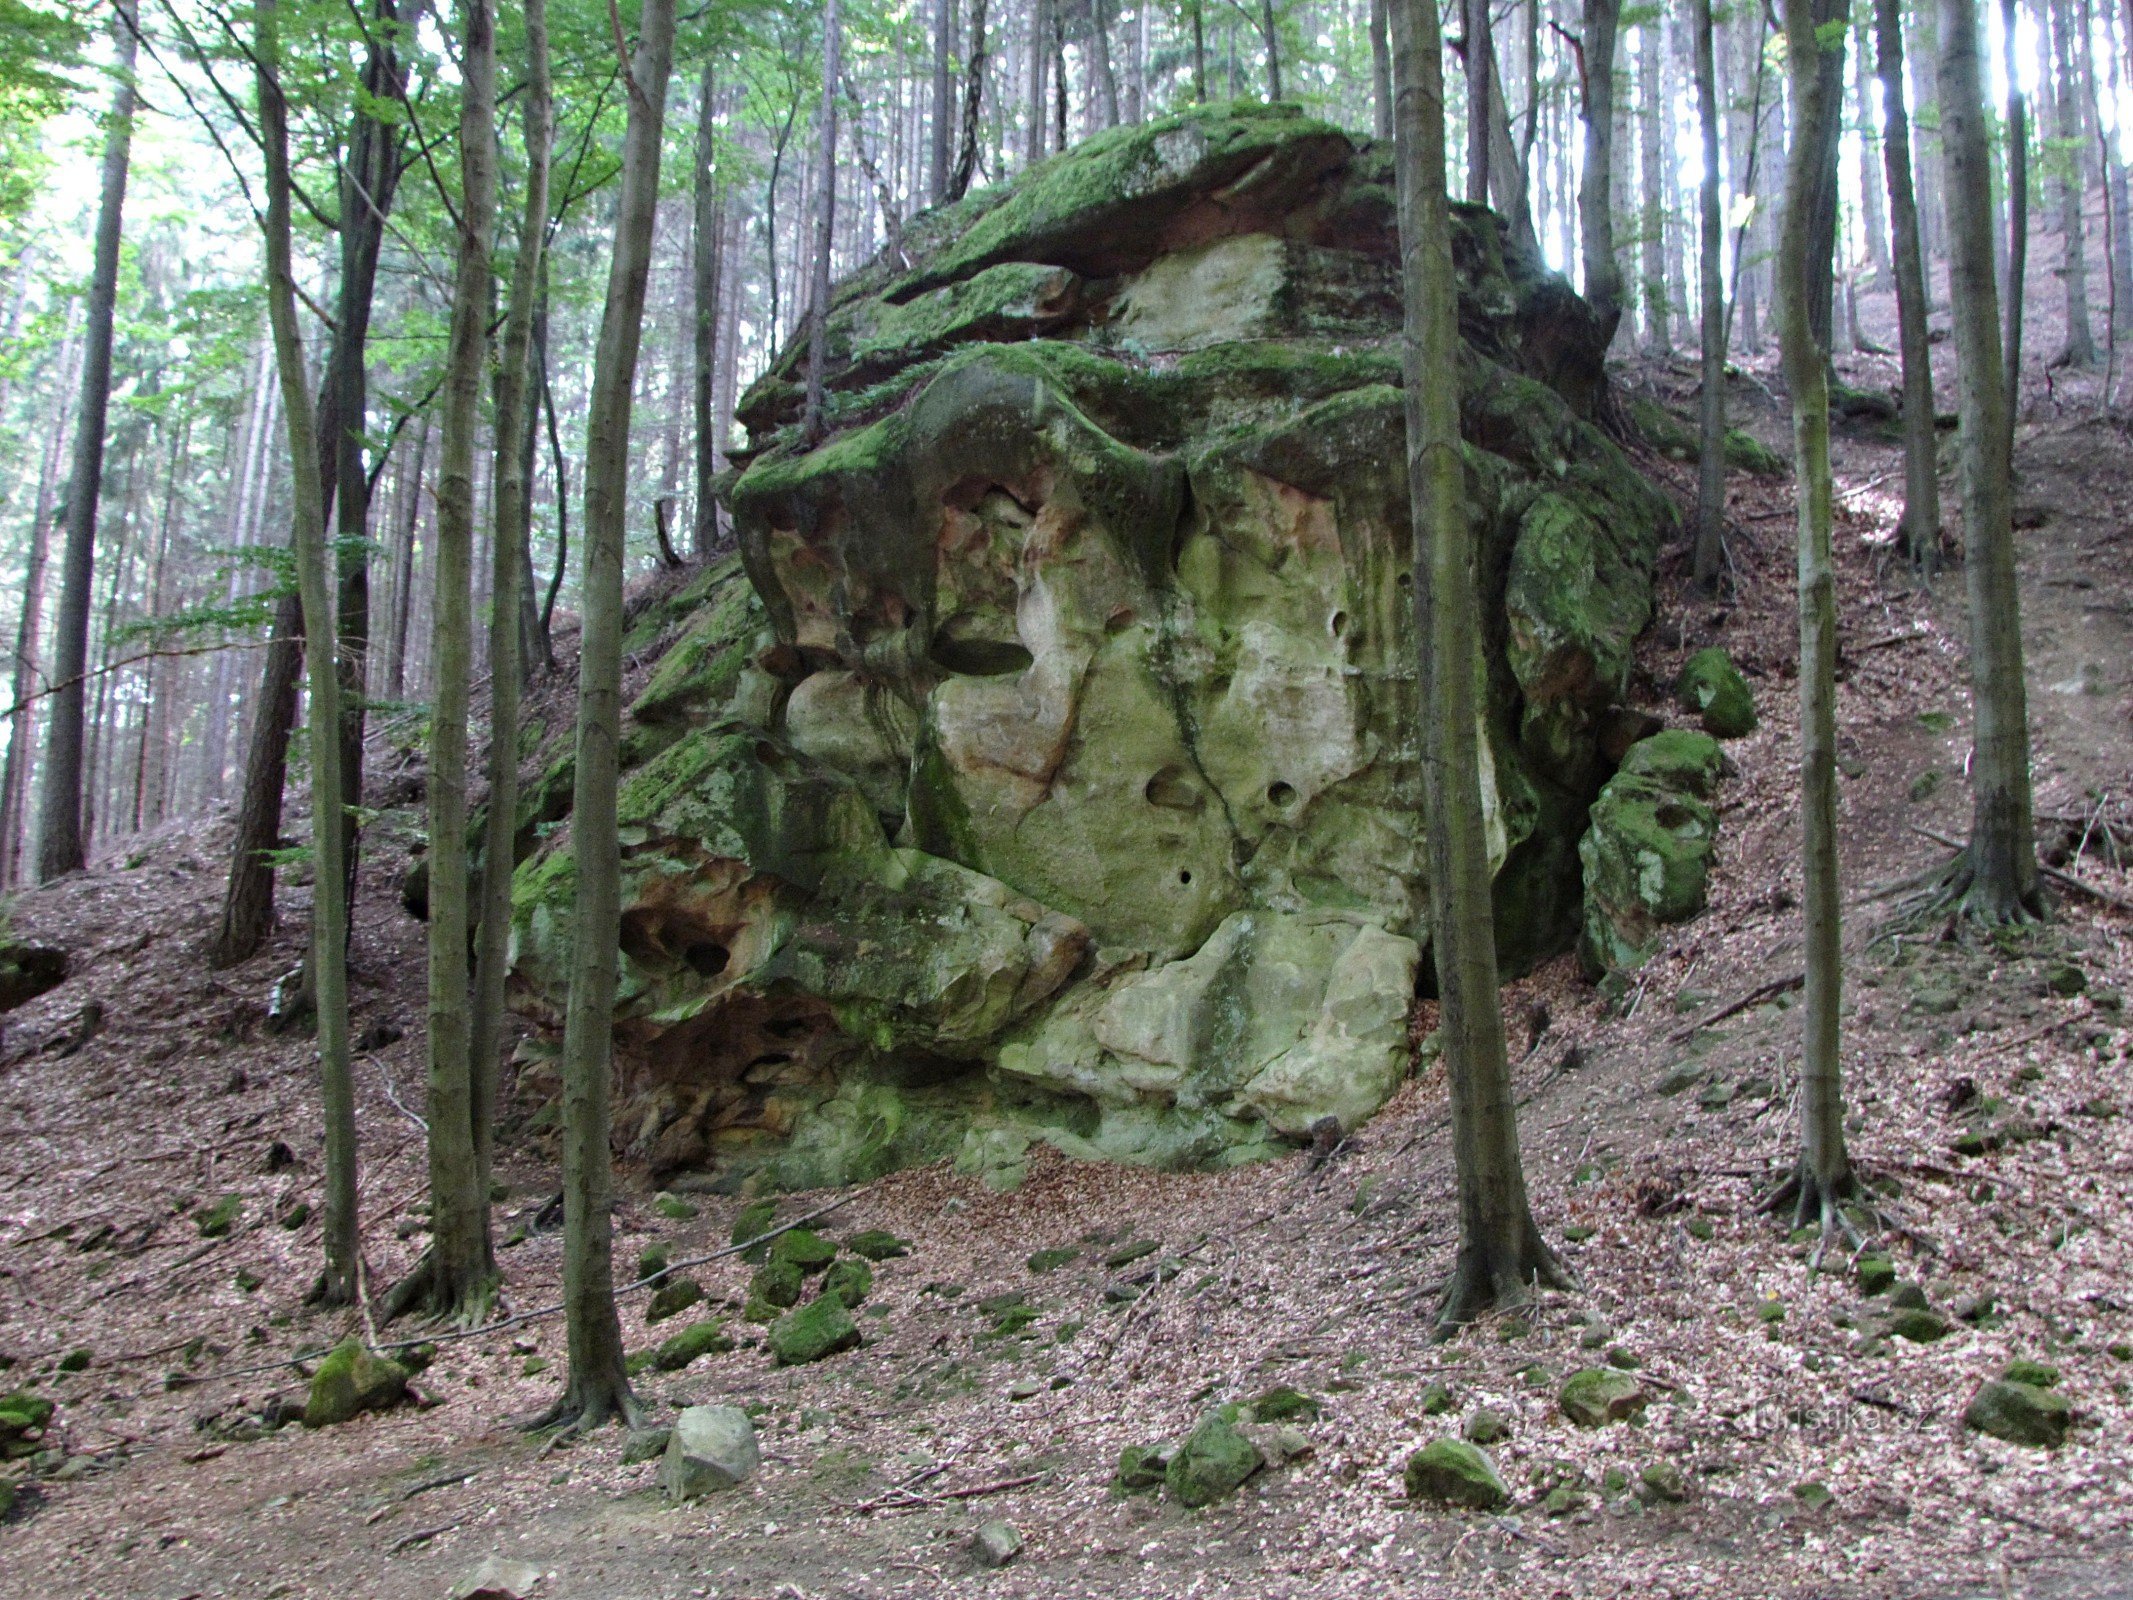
1823 1177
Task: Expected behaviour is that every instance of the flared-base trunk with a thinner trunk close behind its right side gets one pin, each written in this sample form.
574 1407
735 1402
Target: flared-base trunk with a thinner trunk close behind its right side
460 1268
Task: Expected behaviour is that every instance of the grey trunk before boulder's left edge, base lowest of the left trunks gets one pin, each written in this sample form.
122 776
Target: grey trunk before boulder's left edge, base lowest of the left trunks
598 1388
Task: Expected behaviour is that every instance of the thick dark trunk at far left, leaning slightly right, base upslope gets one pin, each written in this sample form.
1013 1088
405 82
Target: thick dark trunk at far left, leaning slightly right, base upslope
63 844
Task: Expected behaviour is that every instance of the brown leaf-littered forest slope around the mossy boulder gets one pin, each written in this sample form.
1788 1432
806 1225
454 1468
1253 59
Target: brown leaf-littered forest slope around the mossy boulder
1650 1138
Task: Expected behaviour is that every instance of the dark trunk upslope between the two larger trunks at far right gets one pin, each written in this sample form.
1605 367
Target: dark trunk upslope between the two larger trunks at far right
1921 530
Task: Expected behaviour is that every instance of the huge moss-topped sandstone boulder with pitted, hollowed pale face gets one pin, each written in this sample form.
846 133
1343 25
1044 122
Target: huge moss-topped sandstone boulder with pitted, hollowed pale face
1044 769
